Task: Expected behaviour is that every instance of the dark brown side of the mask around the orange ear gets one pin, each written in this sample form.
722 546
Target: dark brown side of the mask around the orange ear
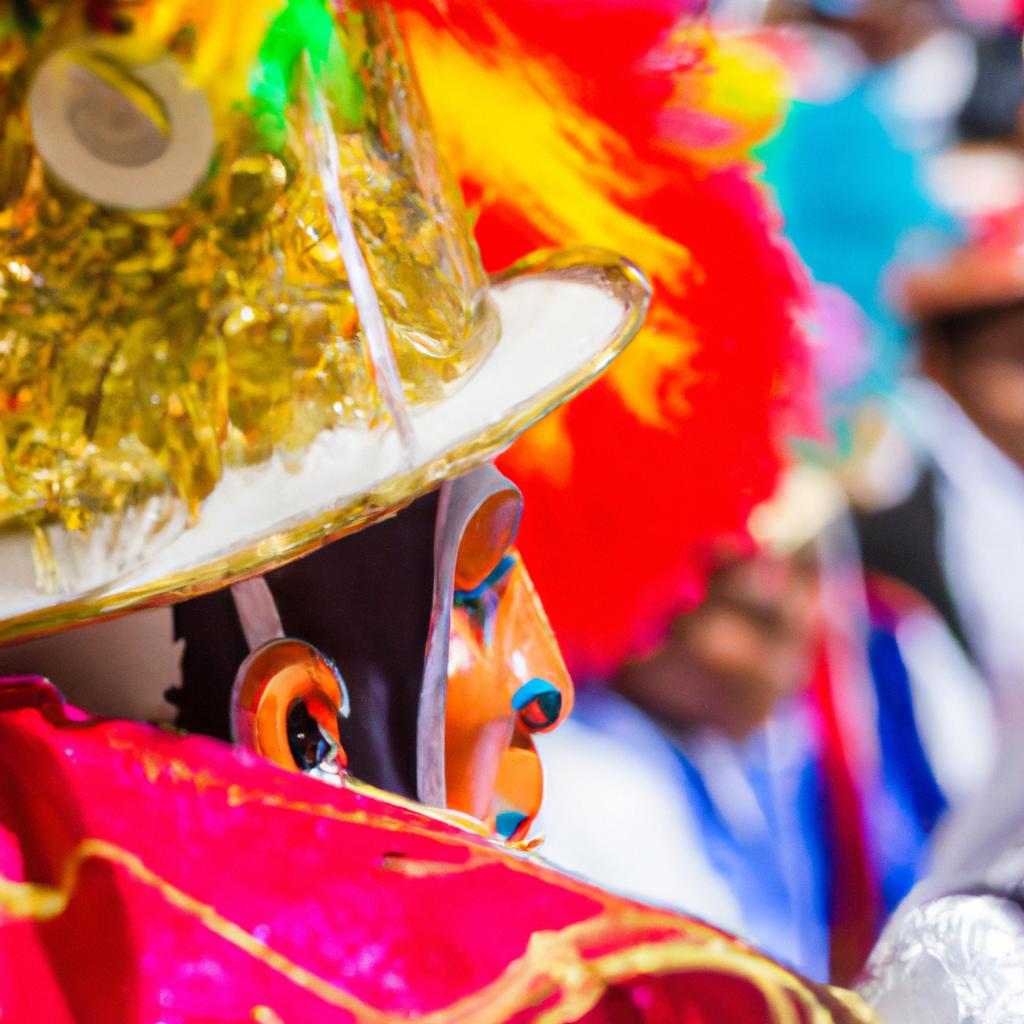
365 602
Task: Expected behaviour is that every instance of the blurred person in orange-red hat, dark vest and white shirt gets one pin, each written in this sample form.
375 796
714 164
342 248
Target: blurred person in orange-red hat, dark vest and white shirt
953 539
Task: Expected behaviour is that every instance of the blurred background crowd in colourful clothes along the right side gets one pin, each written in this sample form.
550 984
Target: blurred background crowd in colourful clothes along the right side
831 735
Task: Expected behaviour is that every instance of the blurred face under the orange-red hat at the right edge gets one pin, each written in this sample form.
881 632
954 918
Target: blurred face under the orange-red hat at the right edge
985 372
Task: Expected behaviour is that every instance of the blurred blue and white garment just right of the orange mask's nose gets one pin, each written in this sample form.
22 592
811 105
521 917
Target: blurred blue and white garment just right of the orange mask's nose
731 833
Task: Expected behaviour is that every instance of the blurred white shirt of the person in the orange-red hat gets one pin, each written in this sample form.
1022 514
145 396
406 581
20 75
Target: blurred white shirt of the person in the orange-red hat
980 498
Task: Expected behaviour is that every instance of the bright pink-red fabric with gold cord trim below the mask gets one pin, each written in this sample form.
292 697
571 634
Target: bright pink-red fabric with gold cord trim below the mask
146 876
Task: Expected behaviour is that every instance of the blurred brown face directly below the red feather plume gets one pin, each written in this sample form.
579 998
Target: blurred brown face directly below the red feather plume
731 662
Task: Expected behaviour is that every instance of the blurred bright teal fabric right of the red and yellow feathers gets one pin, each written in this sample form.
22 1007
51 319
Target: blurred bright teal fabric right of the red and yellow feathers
849 181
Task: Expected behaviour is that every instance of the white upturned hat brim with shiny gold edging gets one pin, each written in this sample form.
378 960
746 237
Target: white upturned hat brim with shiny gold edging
564 318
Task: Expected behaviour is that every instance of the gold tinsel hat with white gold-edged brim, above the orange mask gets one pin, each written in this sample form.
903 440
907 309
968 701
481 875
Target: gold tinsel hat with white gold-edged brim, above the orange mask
241 310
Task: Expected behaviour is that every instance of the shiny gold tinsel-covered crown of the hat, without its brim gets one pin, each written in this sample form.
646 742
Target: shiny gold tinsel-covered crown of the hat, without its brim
178 187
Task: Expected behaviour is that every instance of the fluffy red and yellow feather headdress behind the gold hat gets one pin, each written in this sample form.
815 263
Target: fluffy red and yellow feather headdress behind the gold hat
630 126
